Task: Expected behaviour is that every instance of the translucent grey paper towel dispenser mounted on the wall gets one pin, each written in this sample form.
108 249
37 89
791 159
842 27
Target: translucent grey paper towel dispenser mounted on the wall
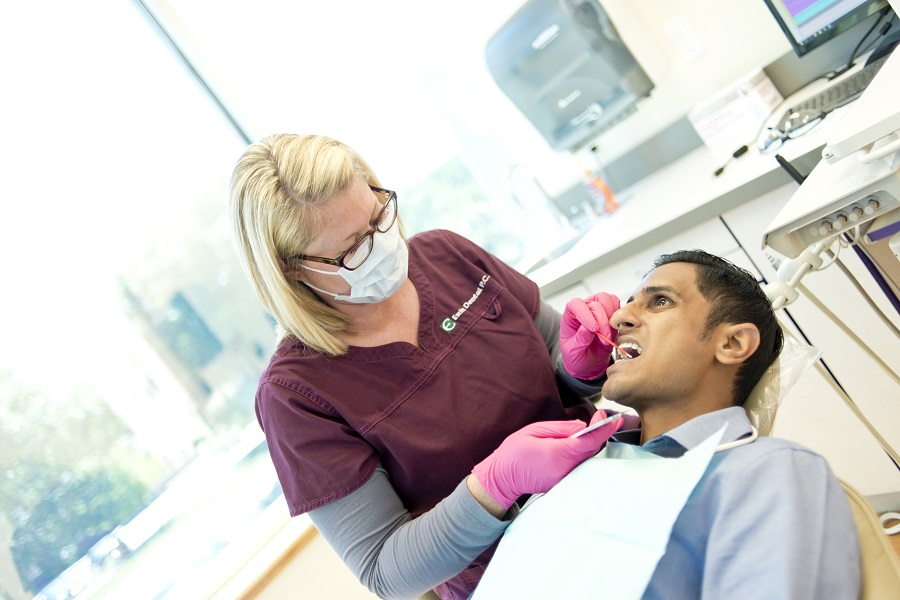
564 65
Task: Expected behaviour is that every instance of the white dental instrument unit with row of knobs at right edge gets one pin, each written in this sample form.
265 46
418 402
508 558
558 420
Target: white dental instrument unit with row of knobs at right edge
856 185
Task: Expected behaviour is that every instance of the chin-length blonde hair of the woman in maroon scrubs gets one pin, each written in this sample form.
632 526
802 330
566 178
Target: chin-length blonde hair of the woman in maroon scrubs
278 188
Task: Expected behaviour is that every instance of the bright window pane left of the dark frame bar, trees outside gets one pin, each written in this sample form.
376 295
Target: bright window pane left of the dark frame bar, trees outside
130 456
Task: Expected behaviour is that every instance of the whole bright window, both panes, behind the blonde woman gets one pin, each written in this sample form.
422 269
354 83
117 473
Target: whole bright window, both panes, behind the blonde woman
131 463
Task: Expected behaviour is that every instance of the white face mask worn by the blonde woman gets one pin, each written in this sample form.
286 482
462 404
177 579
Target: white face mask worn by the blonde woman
380 276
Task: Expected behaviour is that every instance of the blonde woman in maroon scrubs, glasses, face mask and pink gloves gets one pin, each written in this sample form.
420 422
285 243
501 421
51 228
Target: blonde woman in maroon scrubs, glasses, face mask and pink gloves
413 396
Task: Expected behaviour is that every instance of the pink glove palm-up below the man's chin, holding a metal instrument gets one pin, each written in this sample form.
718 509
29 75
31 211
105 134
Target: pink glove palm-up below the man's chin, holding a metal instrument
533 459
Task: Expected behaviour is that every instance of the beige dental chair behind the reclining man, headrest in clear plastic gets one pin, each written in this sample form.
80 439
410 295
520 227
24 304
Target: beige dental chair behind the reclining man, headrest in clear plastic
880 564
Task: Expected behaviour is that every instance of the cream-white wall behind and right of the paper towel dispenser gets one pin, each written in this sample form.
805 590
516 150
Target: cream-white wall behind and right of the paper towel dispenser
733 38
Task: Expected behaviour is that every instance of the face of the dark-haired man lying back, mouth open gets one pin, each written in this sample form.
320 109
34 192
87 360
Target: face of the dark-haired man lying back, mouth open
664 318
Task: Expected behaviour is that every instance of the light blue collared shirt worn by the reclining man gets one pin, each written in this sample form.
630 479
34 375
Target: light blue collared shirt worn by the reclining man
767 520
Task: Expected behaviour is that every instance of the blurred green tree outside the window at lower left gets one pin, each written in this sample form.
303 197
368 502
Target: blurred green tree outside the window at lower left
69 477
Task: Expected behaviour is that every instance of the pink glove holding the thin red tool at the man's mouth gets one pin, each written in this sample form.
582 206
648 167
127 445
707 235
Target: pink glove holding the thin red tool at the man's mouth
586 355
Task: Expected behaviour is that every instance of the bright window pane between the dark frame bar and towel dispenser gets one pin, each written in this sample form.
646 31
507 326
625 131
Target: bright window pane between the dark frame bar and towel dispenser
405 85
